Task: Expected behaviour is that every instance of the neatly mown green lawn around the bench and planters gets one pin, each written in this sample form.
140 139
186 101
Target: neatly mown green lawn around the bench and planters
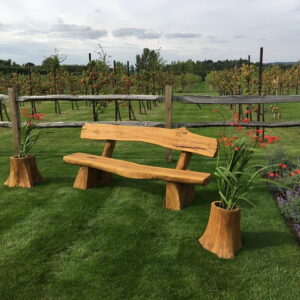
117 242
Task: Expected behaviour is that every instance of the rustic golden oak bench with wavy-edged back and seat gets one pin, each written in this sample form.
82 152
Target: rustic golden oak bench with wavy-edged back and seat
97 170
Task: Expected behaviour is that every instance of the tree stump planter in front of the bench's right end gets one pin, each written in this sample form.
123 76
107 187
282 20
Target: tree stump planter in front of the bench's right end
222 235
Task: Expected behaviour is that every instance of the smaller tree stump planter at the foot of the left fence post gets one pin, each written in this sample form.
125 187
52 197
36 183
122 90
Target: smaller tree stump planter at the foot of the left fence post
23 172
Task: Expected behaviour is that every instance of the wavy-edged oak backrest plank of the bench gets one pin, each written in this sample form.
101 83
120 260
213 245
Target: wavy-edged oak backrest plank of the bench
178 139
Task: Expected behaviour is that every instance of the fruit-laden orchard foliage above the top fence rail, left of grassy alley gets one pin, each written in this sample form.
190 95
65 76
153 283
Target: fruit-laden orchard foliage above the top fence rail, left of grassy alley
88 82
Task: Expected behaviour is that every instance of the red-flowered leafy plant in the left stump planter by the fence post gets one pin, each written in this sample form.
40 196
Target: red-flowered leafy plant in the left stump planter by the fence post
29 135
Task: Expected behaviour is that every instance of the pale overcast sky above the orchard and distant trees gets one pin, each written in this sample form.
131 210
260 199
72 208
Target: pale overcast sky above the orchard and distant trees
30 30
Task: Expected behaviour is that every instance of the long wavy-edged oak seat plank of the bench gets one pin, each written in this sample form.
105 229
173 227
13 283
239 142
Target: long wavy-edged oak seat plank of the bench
137 171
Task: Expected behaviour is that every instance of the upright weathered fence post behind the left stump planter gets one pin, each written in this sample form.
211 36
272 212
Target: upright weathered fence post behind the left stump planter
15 118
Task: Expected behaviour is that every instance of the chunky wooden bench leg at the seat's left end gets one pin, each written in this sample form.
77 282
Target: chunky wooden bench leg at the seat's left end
89 178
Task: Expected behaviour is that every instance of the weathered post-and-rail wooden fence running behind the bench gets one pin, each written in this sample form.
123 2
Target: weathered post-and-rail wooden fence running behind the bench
15 124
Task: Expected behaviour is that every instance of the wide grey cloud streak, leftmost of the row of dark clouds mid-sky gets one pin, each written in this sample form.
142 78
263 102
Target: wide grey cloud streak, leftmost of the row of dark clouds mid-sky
77 31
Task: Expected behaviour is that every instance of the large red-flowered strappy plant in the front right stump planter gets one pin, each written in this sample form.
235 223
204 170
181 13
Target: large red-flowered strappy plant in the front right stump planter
234 175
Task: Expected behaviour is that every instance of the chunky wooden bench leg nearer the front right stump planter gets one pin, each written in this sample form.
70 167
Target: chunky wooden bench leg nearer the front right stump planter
179 195
